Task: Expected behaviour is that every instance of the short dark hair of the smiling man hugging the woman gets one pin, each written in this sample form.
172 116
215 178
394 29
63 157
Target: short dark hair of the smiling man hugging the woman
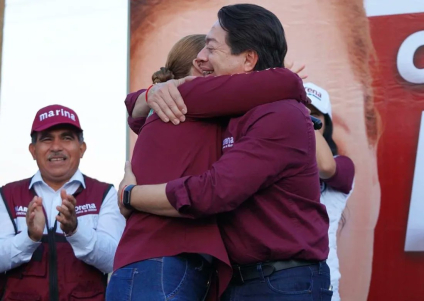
252 27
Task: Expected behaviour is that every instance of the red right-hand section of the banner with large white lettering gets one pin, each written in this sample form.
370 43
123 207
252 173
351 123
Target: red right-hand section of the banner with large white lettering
397 31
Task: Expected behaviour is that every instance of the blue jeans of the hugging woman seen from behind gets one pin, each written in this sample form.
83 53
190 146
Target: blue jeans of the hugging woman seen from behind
178 278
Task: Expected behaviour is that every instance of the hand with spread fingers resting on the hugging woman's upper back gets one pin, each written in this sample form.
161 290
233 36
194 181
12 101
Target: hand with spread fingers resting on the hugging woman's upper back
166 100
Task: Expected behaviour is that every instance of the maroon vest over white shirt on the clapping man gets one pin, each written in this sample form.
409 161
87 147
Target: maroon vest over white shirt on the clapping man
53 273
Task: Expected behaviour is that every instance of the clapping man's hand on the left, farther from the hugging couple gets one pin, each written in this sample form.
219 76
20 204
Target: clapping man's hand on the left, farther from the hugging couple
35 219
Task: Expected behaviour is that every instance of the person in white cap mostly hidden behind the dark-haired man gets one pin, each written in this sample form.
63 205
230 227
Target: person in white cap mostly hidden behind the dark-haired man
336 175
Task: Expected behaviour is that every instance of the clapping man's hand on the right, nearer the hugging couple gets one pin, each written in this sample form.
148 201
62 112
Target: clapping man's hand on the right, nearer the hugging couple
67 217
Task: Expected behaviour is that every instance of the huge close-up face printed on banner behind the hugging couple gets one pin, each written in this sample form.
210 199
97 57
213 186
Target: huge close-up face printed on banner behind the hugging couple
332 39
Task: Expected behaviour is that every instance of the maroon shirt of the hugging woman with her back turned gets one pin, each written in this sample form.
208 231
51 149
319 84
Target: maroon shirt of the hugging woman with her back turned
164 152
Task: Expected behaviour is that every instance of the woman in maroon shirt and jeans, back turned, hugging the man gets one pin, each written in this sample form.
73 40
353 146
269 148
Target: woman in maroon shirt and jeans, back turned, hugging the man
160 257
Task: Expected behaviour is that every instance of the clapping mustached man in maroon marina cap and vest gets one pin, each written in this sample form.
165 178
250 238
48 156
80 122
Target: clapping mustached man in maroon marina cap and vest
59 229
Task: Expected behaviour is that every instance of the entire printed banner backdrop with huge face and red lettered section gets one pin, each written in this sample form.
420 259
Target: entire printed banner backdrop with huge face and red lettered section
370 58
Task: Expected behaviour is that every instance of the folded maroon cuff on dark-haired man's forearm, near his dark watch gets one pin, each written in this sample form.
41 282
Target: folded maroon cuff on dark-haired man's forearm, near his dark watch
177 195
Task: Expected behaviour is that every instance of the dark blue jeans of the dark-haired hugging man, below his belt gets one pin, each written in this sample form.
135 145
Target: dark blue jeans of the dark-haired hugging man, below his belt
307 283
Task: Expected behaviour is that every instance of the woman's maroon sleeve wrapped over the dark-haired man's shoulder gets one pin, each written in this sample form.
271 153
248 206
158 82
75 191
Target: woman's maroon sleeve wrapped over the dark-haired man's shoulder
233 95
